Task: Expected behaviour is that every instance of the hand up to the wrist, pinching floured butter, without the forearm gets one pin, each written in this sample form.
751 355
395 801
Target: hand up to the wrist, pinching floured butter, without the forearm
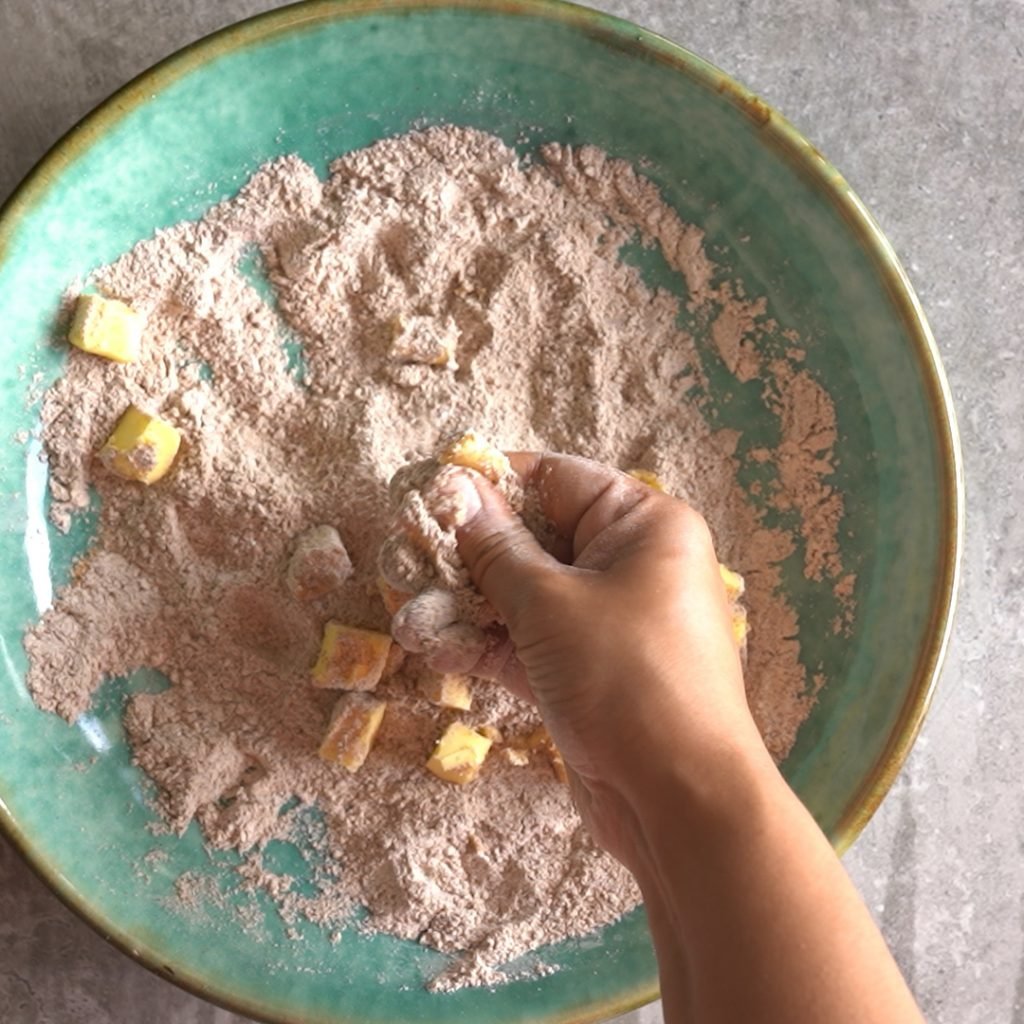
624 641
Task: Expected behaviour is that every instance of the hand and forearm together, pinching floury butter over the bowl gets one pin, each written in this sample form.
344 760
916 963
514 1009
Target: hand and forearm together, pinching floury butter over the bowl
625 643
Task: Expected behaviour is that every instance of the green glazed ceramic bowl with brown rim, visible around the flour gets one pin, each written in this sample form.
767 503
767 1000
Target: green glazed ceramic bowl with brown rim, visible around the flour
323 78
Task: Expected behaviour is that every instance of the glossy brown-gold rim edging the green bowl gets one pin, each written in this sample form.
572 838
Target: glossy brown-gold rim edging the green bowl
801 156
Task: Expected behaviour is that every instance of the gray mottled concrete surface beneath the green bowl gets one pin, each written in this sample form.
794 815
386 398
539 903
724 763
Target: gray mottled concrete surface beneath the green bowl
921 103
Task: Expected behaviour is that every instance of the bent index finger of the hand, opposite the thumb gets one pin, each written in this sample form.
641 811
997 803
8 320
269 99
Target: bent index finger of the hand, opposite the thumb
581 498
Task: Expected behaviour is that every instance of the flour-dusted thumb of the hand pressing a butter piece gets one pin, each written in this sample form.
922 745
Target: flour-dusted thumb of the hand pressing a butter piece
503 557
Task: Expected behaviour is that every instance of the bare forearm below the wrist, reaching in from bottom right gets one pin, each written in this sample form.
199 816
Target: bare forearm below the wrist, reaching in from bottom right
766 924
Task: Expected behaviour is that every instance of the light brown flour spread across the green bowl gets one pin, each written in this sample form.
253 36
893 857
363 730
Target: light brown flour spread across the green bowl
296 410
